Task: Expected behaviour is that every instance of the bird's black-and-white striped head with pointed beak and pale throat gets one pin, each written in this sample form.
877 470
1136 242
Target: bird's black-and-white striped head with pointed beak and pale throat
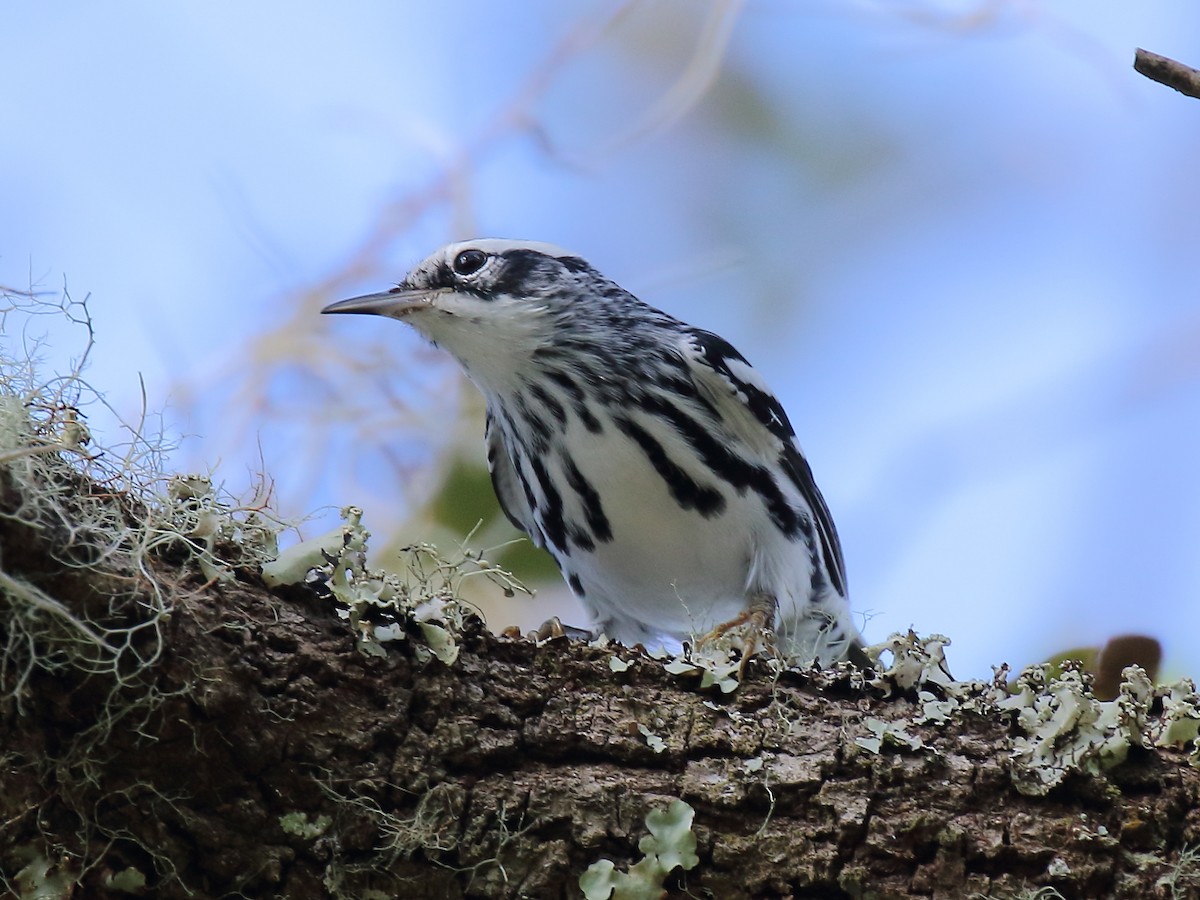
493 303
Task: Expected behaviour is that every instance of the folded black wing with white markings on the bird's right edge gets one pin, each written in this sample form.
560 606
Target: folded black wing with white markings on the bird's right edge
751 410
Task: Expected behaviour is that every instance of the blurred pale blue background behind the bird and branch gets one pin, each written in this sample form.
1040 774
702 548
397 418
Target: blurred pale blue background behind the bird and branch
958 238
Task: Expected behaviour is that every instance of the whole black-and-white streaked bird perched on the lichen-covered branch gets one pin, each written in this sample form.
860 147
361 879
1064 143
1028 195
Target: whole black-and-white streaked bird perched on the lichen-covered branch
646 455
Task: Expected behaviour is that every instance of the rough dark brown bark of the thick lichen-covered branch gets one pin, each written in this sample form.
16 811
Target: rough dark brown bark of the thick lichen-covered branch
262 755
